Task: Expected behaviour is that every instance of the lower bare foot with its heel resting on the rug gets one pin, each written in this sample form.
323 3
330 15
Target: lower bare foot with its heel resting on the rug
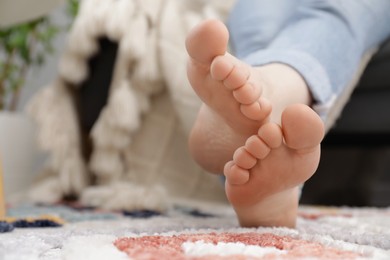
263 179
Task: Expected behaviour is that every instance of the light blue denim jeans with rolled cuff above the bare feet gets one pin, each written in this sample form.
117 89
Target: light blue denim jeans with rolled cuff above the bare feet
323 40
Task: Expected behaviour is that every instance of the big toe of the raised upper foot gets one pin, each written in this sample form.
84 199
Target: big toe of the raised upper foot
207 40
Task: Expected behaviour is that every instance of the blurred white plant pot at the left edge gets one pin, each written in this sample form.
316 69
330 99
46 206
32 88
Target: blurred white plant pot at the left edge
19 154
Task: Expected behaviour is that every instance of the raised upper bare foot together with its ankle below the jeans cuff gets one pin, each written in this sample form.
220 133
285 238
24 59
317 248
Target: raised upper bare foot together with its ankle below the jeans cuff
237 97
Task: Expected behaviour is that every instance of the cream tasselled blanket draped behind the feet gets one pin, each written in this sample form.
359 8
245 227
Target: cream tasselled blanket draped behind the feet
139 156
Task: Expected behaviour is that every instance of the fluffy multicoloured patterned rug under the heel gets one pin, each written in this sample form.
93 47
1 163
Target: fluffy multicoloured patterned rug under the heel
191 231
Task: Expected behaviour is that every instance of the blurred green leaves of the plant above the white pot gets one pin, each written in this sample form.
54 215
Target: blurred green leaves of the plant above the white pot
24 45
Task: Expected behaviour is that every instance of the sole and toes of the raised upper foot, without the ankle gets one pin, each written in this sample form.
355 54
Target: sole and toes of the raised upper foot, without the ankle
233 108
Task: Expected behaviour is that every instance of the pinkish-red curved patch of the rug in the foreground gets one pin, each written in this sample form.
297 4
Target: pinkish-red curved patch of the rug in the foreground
170 247
